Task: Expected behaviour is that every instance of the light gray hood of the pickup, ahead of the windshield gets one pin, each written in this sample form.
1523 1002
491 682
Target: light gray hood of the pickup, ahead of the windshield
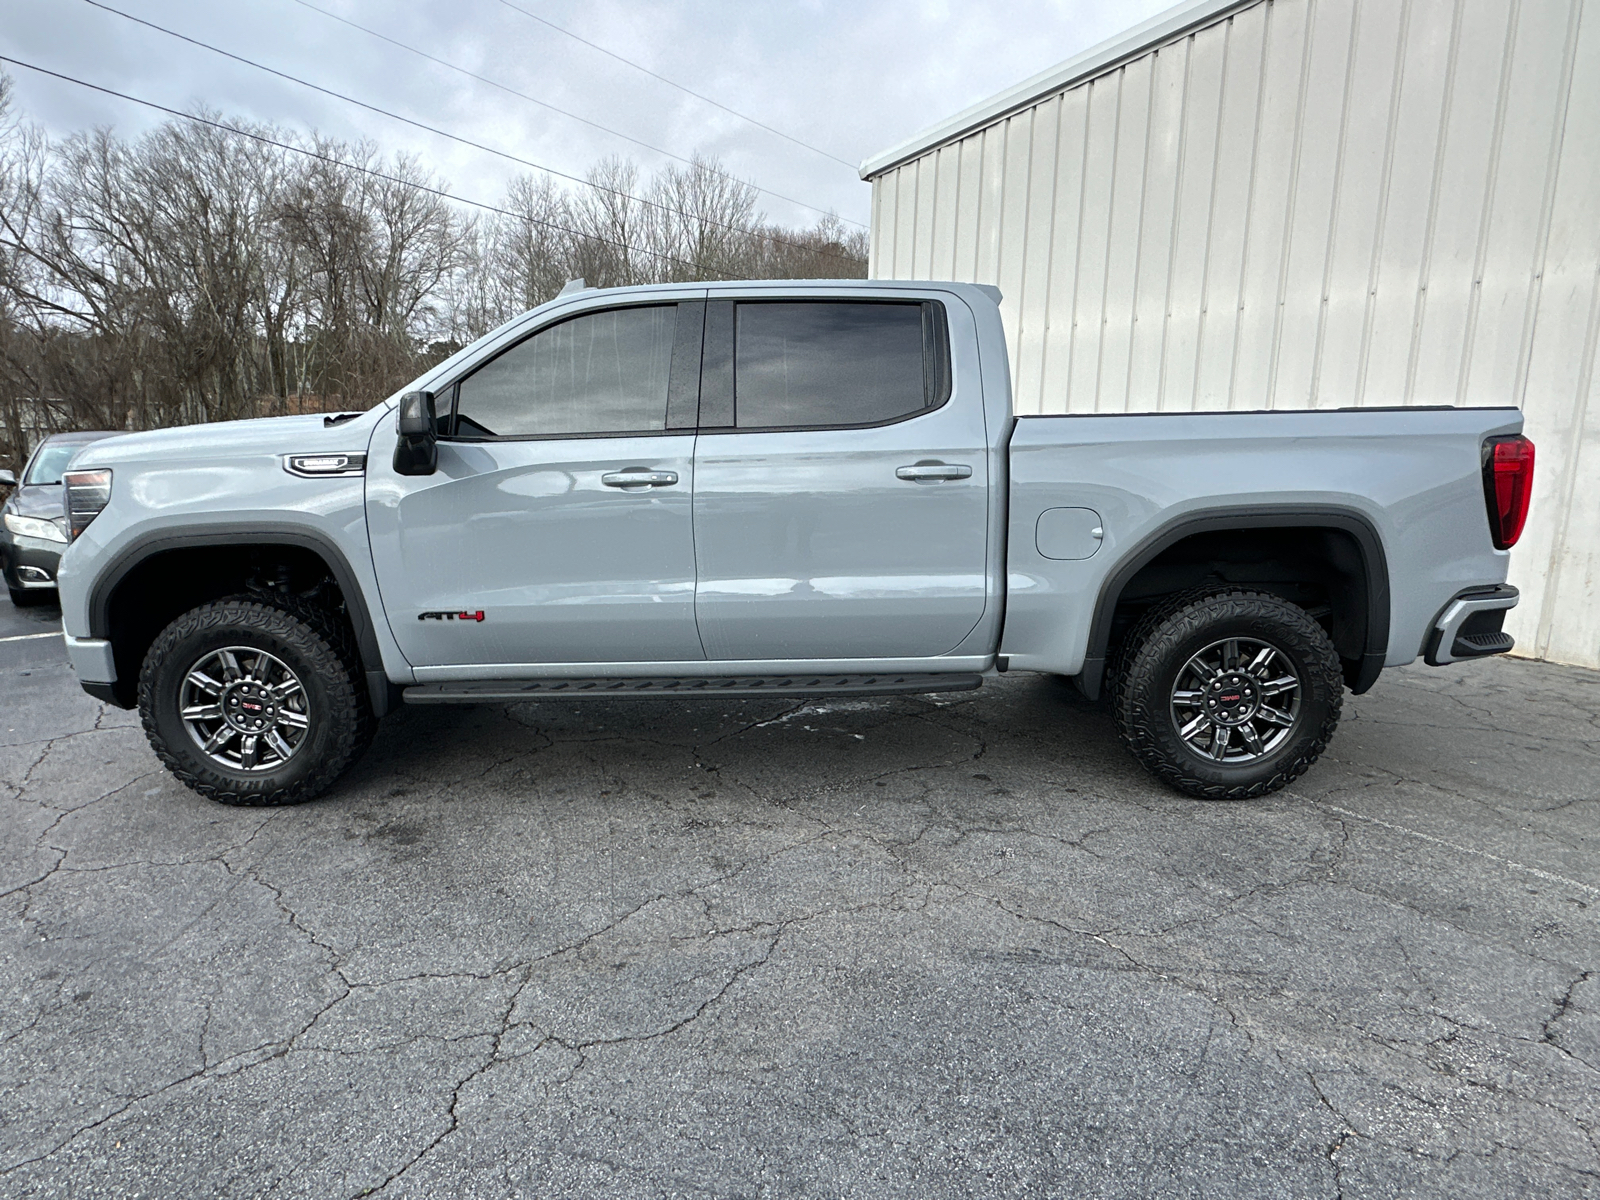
231 439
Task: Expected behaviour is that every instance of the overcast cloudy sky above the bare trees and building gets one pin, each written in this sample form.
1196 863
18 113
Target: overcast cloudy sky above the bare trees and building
850 78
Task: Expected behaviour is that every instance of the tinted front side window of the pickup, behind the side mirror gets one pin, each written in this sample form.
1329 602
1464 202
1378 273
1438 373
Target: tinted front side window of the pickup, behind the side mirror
599 374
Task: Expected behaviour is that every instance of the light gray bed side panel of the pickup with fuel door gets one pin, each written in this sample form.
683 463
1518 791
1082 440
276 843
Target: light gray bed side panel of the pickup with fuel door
1414 476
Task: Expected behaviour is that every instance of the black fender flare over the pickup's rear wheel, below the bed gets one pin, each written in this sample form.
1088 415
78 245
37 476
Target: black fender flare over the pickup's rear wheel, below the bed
1220 521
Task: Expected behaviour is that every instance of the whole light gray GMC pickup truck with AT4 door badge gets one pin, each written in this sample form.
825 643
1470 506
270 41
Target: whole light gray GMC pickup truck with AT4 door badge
777 490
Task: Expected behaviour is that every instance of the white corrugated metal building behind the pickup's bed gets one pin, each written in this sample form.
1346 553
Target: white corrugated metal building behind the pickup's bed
1300 204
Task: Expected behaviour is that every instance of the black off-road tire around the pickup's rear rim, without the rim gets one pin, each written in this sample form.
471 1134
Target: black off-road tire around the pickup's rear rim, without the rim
1164 642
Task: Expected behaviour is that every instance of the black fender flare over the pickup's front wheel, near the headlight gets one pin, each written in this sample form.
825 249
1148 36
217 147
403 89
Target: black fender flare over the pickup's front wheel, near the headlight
255 534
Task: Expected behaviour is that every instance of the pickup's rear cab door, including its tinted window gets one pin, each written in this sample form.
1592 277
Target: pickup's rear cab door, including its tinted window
842 489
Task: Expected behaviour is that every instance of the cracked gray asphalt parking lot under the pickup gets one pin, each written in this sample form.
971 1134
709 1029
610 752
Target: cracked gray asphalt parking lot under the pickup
898 948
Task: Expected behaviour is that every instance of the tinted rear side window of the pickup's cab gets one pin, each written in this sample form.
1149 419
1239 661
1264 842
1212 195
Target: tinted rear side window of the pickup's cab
833 362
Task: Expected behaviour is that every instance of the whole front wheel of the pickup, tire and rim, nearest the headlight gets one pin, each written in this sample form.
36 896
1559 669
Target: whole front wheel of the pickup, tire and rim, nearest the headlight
252 703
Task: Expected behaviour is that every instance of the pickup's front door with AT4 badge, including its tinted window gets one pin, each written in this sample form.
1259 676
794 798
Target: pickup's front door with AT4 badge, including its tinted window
559 524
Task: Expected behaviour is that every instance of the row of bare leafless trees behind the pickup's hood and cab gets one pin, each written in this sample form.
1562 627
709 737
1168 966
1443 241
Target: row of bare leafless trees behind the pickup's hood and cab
199 274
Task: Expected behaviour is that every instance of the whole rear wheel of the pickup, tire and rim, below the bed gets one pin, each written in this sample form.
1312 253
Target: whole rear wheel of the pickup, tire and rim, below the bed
1230 697
